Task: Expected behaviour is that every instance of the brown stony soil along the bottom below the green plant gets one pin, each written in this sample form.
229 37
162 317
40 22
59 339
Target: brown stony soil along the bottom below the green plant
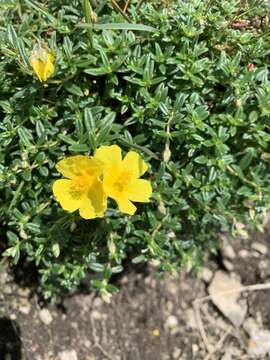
150 318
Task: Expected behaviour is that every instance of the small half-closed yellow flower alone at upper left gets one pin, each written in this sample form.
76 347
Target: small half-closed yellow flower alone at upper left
42 61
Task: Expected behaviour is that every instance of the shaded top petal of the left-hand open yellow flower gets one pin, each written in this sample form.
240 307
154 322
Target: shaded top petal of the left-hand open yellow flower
79 165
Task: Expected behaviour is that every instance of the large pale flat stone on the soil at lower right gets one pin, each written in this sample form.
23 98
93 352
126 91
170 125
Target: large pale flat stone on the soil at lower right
225 300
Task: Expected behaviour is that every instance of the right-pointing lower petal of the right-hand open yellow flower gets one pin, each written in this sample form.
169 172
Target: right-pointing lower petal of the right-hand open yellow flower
139 190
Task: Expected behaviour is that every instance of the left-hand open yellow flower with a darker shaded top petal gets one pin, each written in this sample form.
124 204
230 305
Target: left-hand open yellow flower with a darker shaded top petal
82 189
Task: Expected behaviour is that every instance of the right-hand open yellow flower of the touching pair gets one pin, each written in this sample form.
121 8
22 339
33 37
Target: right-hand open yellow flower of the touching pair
121 177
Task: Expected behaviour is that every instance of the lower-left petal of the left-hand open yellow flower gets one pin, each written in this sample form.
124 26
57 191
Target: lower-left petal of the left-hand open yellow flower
62 190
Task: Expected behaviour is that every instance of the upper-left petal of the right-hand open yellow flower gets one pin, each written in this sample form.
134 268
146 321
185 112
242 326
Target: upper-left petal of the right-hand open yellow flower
111 157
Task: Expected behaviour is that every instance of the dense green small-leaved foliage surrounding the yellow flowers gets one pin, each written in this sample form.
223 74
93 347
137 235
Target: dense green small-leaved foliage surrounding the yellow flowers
187 87
